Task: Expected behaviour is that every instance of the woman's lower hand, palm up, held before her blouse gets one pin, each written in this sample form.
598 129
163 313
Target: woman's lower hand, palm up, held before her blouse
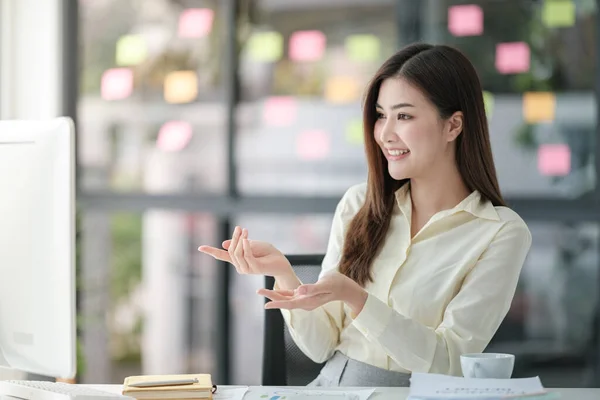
331 287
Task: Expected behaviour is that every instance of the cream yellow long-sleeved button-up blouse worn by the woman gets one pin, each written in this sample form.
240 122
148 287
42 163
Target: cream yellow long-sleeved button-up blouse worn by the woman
436 296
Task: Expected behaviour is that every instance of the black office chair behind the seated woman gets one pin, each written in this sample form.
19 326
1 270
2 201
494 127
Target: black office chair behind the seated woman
284 364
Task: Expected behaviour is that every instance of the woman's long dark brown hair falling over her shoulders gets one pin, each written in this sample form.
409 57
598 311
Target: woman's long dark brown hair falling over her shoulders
449 80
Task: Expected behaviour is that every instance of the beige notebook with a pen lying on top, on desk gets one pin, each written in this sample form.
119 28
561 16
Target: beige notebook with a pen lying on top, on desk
202 389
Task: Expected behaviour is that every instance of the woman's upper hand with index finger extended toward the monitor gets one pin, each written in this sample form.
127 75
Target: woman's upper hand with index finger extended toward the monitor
251 256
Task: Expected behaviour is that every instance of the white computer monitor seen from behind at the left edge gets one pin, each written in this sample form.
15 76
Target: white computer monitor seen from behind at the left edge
37 247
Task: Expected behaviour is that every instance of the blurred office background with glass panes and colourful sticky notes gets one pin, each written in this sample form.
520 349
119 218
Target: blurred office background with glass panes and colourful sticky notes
197 115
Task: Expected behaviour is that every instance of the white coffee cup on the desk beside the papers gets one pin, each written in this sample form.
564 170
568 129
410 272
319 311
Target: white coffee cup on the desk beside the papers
487 365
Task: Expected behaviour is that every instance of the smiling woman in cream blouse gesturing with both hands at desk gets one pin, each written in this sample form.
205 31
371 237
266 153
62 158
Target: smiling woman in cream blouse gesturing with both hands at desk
423 259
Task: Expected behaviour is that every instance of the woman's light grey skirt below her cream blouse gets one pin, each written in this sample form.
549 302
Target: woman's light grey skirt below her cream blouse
343 371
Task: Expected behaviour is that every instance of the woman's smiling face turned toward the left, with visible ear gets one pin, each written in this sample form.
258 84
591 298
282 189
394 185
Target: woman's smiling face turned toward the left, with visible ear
413 137
